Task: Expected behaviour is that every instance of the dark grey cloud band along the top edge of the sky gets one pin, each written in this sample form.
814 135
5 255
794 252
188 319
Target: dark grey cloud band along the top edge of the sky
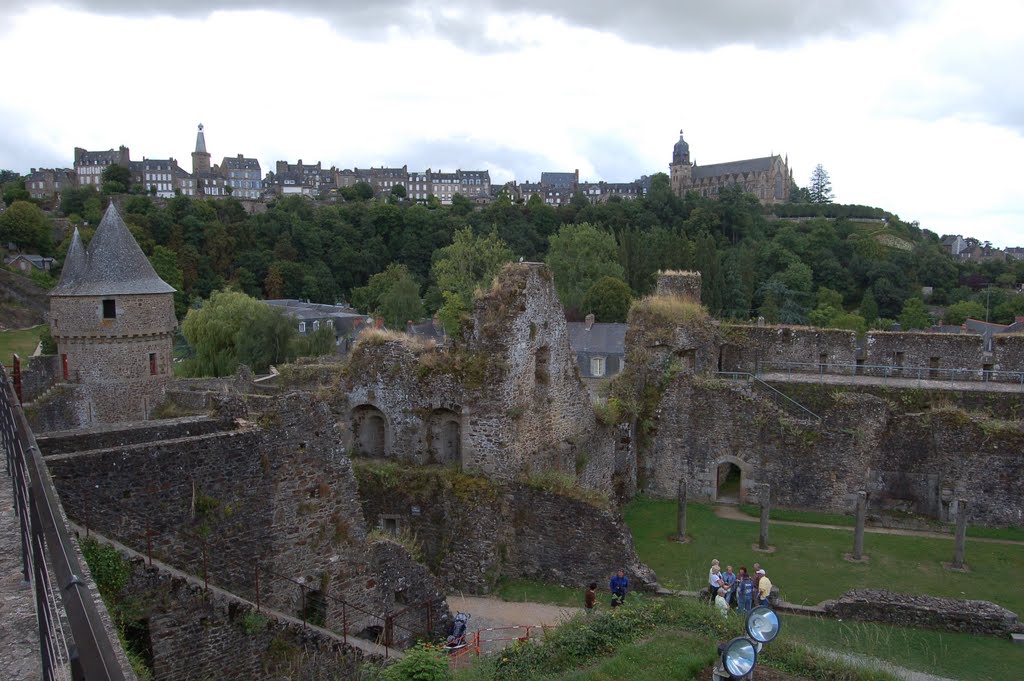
674 24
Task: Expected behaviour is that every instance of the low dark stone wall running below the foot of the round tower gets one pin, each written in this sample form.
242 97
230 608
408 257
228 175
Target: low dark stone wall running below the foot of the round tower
106 437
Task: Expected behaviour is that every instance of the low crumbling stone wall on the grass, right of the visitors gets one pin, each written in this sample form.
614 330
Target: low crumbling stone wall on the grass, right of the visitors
970 617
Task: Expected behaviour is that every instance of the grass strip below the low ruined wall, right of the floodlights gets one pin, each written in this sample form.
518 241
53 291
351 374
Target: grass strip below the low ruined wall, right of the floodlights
952 656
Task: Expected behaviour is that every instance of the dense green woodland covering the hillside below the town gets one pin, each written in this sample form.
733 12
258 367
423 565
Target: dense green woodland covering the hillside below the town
860 268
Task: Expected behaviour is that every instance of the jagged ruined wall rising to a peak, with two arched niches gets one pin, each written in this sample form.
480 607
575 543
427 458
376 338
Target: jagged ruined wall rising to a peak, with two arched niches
507 400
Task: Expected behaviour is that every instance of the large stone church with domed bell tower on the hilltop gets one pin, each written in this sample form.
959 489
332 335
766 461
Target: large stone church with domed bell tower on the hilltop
770 179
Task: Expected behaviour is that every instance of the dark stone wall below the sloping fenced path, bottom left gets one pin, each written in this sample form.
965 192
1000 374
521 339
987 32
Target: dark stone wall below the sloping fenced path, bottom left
209 635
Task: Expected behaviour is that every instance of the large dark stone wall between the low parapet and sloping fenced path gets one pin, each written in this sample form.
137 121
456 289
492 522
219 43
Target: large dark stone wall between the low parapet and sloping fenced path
283 497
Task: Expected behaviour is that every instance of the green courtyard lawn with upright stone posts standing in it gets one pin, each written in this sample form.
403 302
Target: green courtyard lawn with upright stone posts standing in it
808 566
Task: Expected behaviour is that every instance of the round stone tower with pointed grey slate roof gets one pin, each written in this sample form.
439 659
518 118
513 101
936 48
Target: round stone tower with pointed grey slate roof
113 320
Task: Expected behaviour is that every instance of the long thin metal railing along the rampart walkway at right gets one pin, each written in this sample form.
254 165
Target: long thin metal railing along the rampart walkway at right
886 372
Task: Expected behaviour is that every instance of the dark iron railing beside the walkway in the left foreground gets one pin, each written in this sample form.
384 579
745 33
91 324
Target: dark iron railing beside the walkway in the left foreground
73 642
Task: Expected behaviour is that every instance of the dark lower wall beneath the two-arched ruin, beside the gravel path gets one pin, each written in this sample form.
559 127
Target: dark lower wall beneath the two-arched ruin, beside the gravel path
474 532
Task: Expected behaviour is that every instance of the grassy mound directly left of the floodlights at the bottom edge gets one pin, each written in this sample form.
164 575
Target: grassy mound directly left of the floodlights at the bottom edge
670 655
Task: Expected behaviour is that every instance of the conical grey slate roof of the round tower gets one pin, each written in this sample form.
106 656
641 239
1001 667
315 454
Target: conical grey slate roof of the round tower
114 265
